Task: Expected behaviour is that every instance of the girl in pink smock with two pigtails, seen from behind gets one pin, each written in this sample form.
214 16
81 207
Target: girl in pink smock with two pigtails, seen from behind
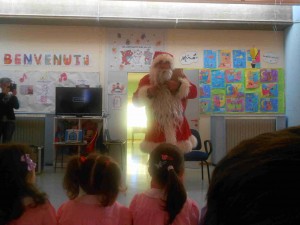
92 185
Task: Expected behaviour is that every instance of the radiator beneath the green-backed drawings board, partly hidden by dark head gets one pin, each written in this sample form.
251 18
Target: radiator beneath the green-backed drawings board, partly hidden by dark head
245 128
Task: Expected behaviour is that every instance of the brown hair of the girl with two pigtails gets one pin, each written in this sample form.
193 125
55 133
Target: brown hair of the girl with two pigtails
95 175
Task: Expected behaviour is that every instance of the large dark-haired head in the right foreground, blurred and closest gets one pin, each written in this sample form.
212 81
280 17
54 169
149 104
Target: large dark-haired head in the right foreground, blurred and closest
257 182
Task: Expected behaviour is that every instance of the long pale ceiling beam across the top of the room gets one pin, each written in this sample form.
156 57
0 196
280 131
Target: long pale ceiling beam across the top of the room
150 14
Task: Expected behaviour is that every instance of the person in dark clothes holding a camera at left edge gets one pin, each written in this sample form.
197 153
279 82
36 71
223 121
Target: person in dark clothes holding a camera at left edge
8 102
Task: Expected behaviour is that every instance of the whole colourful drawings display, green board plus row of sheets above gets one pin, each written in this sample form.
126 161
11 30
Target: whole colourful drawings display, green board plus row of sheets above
233 82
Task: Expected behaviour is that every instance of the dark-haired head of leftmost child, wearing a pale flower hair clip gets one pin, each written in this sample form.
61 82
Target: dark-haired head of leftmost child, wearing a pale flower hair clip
17 173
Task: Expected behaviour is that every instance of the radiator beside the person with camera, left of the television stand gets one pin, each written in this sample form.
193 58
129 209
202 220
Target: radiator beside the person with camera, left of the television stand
30 130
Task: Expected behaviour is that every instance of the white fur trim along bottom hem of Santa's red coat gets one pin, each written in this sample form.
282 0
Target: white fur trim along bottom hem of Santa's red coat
185 146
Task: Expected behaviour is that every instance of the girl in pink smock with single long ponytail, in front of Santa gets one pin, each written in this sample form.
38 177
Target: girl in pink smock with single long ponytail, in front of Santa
166 202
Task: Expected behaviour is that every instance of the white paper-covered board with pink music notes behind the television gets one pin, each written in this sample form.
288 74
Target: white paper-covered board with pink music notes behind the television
36 89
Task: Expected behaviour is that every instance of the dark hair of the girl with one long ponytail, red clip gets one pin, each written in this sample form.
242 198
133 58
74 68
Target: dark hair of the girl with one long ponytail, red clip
166 167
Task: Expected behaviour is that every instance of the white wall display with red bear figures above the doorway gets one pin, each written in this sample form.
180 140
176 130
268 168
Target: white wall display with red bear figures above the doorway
133 49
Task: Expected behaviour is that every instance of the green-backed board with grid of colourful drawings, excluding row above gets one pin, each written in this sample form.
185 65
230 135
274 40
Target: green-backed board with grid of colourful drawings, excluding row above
242 90
